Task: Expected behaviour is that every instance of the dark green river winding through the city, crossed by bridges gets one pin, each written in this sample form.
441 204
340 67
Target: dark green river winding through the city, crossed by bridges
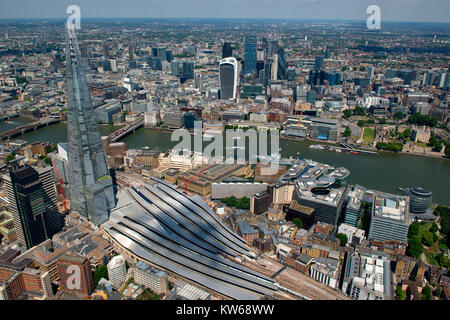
383 172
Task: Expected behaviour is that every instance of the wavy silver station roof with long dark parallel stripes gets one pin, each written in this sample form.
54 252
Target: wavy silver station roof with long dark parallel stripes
184 236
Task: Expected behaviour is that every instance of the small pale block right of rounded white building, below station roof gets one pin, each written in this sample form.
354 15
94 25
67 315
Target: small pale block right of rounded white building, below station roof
152 278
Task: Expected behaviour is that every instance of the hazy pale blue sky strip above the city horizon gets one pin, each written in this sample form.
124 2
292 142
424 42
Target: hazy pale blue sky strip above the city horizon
391 10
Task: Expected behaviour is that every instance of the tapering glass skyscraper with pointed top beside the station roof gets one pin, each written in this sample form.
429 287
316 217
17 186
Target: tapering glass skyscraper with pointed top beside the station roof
91 186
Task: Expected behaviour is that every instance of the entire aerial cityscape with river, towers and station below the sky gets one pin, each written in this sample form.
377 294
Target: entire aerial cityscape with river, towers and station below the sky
224 159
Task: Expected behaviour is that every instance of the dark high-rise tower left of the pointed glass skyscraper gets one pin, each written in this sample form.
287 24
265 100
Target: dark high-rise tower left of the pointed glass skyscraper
32 200
